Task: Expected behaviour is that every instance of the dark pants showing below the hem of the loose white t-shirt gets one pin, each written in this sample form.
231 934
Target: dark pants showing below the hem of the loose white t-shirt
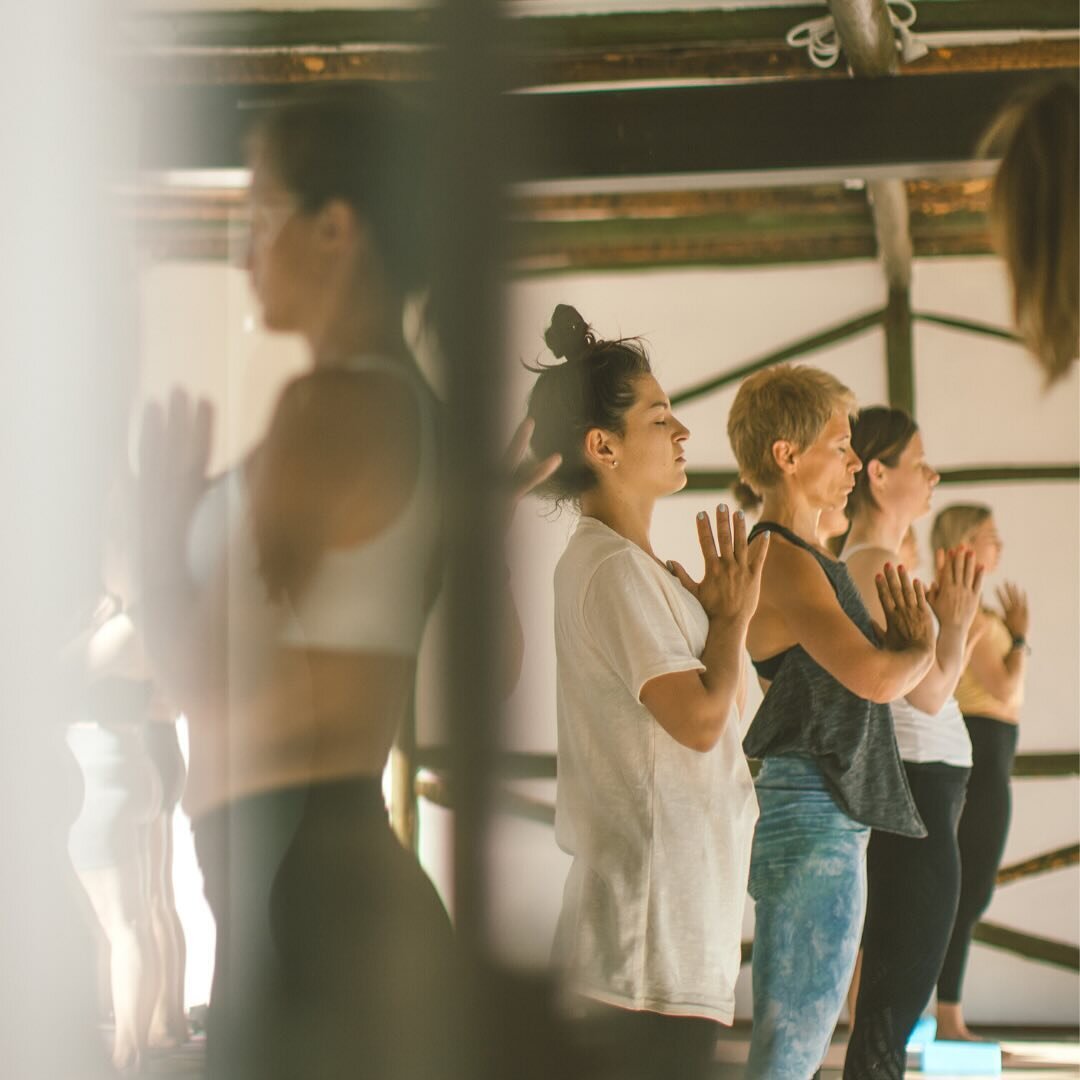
647 1046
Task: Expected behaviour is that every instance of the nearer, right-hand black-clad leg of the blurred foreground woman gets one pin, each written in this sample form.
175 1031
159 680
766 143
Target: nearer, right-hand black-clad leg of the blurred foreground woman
367 948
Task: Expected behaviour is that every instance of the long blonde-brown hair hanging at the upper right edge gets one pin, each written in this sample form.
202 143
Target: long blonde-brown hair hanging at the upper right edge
1034 219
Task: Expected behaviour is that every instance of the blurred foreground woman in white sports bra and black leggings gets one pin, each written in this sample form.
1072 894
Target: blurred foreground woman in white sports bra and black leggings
286 602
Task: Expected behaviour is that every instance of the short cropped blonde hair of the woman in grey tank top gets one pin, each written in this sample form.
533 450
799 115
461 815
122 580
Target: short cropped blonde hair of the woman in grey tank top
787 402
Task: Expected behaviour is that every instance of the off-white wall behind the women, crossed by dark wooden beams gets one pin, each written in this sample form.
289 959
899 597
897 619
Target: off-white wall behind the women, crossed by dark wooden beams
979 402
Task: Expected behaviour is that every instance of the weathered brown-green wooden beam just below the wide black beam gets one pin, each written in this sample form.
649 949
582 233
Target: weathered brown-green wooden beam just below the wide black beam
598 232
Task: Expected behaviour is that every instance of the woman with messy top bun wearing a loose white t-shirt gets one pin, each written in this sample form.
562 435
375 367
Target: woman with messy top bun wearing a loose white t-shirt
655 801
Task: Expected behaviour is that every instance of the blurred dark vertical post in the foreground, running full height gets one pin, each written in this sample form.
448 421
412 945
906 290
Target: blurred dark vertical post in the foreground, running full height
469 157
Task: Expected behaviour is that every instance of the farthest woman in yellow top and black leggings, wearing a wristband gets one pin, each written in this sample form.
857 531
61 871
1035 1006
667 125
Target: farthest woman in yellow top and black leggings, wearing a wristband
991 694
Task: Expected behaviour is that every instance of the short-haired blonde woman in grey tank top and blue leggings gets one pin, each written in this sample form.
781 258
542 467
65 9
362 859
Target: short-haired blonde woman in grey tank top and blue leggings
831 769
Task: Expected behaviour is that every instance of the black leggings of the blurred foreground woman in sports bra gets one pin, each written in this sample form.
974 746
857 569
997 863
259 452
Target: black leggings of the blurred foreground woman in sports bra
334 954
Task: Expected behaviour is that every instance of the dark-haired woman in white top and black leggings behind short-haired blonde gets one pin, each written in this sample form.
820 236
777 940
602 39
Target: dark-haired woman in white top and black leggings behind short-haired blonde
913 884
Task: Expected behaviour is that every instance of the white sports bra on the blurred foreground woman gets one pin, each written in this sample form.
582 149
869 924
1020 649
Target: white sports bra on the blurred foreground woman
369 599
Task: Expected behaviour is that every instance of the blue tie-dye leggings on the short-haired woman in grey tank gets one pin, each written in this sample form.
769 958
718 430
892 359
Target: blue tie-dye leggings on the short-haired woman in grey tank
808 880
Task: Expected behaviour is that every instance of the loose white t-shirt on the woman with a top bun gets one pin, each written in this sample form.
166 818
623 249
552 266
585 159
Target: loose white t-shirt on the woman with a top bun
660 834
